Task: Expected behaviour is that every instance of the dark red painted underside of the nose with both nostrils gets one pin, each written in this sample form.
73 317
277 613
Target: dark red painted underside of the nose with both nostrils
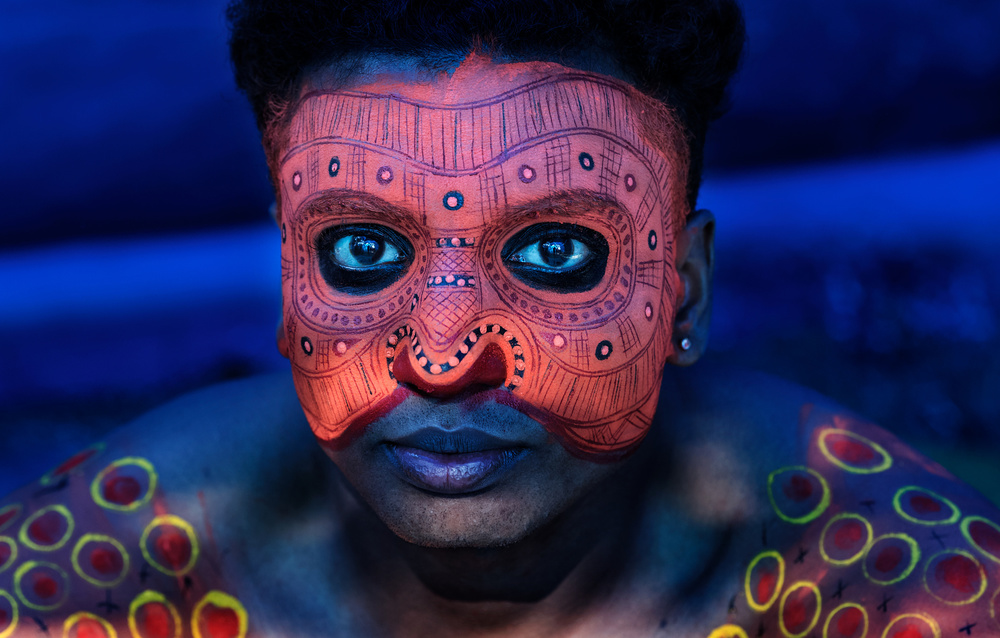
486 370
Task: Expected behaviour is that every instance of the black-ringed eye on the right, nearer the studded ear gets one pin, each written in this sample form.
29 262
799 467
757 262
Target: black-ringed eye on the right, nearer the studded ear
556 256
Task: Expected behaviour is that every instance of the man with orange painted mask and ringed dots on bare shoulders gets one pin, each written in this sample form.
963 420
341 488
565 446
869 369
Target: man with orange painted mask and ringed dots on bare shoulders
490 251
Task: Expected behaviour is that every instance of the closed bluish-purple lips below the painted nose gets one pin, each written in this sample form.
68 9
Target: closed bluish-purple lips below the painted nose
453 461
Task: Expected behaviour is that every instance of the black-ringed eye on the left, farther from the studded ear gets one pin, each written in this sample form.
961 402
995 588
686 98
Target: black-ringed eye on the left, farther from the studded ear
360 259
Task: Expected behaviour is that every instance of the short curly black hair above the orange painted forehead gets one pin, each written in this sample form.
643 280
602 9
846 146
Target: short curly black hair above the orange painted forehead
680 52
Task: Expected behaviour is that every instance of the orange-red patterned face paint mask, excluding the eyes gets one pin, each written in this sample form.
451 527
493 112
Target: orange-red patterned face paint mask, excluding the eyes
458 181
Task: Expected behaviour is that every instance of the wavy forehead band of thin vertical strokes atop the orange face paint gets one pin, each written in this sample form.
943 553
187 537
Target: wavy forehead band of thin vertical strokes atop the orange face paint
436 135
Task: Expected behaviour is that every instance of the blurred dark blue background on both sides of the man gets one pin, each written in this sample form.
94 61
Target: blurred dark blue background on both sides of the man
855 182
